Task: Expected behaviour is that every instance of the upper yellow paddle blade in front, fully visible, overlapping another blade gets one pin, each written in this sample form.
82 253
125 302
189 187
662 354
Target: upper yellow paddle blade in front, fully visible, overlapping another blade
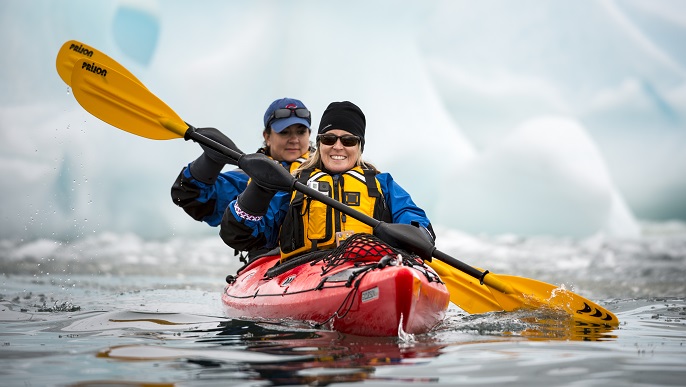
123 103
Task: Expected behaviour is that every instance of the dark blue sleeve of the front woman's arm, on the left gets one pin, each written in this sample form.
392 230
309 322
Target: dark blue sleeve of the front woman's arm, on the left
270 224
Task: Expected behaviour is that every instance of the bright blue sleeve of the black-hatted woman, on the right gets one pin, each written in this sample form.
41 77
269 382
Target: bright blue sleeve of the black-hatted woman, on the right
403 209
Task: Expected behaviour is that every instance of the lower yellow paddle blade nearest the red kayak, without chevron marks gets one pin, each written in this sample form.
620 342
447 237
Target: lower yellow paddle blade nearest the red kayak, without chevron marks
465 290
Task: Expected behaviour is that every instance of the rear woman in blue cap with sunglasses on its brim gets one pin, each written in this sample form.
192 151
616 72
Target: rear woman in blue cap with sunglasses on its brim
204 192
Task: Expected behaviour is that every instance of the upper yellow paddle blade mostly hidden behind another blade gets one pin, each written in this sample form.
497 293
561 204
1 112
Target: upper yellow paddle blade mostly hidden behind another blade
73 50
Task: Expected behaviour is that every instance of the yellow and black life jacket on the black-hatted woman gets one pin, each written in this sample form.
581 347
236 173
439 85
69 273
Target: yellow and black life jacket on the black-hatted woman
312 225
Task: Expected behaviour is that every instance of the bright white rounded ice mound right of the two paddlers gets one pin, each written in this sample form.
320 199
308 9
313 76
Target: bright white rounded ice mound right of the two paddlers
545 178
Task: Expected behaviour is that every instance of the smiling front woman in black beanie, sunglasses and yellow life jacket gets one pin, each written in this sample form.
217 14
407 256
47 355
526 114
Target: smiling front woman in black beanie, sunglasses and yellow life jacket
298 224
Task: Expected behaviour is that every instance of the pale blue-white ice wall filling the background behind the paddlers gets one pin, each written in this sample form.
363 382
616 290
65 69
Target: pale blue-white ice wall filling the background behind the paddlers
500 117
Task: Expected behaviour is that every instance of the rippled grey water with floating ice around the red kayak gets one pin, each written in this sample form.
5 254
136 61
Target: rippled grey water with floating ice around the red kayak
116 310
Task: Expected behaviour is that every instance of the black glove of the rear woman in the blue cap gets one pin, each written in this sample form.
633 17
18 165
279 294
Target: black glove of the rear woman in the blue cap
206 168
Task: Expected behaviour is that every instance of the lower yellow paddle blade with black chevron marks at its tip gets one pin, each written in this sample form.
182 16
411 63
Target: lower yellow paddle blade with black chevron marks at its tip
529 293
